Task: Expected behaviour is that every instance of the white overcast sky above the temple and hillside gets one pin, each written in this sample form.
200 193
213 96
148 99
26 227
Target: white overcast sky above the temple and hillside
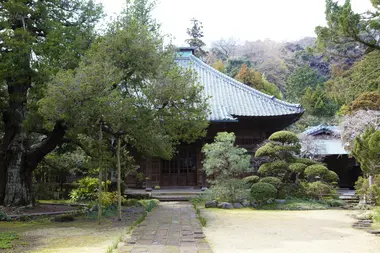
280 20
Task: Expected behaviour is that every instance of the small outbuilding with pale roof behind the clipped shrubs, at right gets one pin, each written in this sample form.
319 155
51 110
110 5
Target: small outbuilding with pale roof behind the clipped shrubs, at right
324 142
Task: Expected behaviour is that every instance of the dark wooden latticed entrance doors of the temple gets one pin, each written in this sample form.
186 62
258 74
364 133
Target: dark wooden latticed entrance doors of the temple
182 169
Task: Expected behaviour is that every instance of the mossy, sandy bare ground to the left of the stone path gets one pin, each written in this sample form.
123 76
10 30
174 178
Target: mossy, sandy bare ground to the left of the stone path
83 235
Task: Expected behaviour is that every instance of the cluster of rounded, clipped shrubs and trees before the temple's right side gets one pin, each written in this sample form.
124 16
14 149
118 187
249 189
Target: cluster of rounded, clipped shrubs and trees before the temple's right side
284 180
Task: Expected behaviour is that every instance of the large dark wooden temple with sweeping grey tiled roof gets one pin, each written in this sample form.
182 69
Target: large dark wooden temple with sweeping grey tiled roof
234 107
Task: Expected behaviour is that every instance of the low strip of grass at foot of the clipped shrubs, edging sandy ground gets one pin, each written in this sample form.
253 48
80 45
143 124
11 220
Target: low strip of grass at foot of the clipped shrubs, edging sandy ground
296 204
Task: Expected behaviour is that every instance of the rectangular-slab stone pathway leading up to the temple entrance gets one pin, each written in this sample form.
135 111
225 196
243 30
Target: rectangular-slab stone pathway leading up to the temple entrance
171 228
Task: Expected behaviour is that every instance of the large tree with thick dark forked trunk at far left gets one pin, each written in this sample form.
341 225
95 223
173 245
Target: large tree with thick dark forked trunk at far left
37 38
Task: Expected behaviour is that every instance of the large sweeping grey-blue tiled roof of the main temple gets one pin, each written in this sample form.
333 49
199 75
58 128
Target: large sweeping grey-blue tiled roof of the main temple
229 98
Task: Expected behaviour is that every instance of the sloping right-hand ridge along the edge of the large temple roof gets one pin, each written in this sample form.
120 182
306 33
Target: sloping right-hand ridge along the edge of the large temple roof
241 85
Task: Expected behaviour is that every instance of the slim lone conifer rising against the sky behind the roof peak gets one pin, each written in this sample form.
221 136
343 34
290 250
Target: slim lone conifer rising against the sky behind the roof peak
196 34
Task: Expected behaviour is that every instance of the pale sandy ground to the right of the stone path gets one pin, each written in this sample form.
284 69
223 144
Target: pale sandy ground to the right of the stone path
243 231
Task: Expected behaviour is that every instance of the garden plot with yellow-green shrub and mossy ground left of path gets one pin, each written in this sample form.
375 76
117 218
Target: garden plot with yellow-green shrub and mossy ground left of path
72 225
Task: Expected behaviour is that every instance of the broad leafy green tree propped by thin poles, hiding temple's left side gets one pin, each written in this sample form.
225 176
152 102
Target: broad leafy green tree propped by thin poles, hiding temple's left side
147 102
